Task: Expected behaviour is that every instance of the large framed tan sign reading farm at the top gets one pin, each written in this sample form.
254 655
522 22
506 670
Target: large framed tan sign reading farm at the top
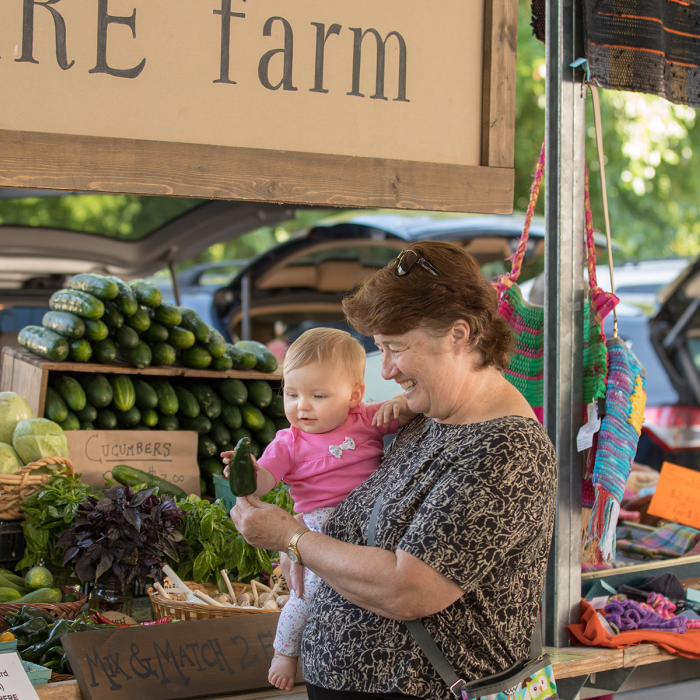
393 103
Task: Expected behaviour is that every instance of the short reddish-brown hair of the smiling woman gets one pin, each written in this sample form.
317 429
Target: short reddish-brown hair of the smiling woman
389 304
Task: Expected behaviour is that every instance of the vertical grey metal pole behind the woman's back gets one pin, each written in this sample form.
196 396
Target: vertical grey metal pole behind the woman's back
564 261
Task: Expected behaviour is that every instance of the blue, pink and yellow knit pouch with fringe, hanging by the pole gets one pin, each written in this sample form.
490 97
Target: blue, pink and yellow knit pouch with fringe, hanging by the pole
625 399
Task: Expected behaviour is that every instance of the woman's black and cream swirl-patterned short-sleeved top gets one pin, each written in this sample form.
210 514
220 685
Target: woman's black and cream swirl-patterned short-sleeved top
474 502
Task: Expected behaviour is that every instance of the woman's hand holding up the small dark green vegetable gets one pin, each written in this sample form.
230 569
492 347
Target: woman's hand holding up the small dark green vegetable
263 525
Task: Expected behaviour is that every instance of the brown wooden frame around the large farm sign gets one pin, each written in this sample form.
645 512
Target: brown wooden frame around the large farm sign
118 165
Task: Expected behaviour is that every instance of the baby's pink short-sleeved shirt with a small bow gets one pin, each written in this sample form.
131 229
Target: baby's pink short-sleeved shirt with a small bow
317 478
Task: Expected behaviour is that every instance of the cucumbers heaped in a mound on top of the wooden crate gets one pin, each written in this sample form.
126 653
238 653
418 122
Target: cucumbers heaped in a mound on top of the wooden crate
103 319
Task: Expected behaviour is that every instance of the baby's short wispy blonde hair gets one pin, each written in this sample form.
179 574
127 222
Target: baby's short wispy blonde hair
324 345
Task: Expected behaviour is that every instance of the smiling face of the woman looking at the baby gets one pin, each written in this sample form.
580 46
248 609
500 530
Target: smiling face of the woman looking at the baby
428 369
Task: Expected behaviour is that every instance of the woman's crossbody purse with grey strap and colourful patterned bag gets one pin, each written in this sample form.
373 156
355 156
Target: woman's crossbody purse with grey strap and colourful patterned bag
526 679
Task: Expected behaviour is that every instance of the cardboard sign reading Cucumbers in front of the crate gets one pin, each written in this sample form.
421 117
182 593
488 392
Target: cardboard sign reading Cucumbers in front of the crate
169 454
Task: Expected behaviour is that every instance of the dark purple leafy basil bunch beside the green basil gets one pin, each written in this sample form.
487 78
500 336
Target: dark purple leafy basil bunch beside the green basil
128 534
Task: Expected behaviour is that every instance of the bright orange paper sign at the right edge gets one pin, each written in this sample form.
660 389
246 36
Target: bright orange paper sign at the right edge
677 496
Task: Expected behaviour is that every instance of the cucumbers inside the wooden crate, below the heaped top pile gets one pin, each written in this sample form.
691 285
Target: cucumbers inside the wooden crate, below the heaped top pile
221 411
